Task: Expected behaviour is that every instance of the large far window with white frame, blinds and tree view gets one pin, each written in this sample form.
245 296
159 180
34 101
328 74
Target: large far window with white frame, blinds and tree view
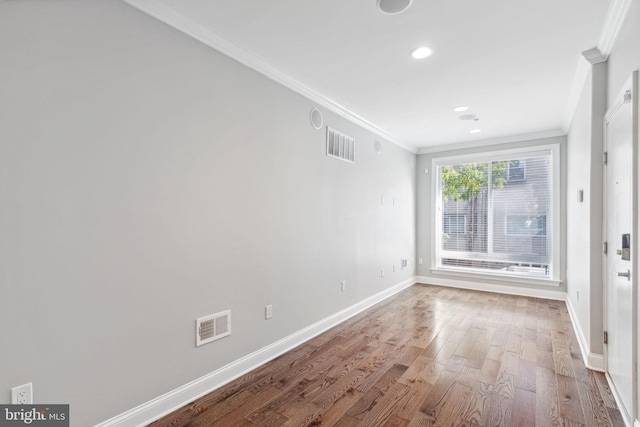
485 225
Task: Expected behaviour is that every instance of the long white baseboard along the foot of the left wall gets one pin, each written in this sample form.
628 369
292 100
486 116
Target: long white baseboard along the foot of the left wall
175 399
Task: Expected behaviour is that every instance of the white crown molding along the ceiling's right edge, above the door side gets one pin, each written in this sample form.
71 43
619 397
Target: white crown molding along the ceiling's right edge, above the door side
612 24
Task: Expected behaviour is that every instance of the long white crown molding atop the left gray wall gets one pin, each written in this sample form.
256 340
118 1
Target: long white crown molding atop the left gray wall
169 16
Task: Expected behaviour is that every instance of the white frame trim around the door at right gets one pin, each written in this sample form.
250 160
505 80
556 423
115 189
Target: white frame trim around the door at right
630 84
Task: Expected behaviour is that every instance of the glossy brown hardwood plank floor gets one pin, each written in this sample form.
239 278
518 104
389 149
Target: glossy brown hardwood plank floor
429 356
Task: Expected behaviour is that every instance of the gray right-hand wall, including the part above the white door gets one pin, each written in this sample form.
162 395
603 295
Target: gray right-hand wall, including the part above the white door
584 266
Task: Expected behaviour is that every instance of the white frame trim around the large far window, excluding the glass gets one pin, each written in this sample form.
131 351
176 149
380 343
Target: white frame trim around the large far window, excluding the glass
554 277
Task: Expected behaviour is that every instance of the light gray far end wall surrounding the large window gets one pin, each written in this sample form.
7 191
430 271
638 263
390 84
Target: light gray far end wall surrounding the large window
424 224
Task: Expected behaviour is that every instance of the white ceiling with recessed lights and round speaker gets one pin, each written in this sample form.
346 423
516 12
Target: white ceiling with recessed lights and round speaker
515 64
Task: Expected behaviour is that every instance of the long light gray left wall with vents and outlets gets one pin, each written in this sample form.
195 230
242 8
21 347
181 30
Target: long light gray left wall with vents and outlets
147 180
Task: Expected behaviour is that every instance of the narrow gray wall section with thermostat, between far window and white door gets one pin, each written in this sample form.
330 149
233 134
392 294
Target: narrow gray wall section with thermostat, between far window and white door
584 219
